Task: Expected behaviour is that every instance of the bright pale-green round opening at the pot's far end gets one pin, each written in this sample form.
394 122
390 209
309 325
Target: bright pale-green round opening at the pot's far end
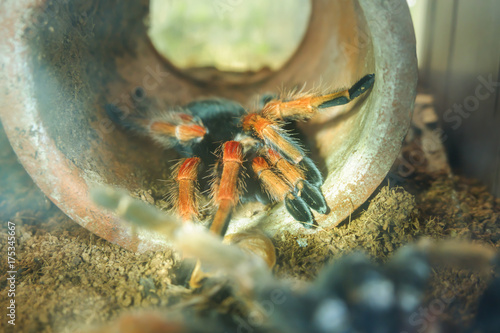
230 35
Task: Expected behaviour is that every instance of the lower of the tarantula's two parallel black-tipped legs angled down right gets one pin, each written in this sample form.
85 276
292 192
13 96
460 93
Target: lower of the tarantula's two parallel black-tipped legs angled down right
279 190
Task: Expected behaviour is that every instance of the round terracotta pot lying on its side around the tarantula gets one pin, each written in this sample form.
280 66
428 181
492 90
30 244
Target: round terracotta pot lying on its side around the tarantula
85 54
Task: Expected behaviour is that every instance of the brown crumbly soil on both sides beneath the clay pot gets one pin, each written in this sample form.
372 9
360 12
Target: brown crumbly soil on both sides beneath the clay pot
71 280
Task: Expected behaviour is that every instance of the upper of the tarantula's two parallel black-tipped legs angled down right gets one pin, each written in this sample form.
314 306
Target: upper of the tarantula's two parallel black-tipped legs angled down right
296 178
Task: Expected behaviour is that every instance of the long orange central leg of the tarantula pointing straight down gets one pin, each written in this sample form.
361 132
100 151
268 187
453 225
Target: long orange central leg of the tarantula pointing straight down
226 194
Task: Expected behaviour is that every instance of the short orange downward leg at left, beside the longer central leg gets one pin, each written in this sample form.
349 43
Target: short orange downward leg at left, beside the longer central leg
186 190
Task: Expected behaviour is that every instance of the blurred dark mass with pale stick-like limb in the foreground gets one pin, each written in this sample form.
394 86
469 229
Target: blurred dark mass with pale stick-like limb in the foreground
353 294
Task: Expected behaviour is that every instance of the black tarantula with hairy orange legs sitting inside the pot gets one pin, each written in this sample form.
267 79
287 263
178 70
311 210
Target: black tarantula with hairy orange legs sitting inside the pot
221 136
